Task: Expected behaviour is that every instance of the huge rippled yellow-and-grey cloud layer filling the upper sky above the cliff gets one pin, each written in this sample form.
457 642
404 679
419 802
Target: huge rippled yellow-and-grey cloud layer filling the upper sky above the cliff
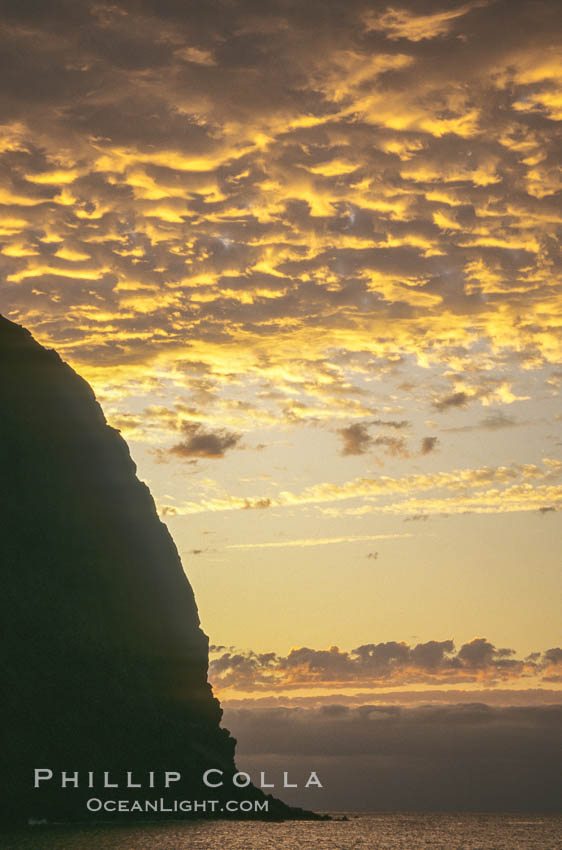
387 194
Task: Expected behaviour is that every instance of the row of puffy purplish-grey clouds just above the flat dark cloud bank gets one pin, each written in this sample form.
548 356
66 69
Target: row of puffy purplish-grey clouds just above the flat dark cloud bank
380 665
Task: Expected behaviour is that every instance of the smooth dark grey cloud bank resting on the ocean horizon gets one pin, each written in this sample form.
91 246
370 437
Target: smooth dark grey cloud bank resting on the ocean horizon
472 757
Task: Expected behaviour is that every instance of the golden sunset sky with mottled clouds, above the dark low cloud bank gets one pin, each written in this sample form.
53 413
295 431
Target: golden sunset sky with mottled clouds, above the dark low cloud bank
306 253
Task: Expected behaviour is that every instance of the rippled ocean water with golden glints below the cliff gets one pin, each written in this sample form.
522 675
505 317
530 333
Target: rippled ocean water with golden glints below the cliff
360 832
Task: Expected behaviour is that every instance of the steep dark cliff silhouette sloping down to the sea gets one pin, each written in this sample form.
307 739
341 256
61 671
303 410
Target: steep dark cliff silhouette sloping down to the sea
103 662
